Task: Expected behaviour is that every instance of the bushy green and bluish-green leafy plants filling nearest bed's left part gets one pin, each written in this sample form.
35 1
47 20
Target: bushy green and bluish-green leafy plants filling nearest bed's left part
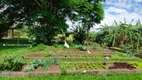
15 63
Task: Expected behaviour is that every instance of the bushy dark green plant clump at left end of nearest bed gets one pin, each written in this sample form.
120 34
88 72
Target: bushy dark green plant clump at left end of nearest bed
11 63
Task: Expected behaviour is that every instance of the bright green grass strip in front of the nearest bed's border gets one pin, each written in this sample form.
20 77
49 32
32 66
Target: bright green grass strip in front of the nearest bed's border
79 77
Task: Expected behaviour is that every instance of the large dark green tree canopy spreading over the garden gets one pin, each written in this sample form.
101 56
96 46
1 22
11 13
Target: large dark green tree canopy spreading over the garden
50 15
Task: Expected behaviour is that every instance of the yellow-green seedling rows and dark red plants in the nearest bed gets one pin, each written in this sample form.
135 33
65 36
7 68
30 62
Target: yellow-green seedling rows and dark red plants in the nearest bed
97 66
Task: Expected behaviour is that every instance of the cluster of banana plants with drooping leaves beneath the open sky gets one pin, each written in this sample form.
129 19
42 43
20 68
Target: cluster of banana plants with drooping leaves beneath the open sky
122 34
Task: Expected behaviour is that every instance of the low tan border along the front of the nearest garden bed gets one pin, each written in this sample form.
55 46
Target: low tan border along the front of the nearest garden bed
103 72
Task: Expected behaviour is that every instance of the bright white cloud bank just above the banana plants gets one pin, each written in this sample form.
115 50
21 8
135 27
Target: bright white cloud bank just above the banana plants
109 17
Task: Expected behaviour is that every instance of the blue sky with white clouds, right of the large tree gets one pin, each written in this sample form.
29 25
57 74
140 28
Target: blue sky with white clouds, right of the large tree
119 9
